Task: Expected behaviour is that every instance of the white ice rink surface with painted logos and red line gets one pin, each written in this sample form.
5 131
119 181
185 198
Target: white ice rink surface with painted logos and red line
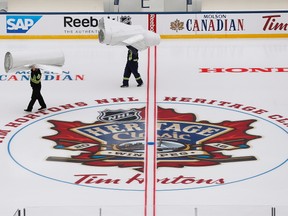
207 132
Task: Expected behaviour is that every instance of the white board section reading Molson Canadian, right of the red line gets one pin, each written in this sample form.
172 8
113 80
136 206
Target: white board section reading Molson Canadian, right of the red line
228 23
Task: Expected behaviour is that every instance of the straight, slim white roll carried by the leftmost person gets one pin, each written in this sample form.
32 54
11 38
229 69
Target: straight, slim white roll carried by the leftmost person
23 58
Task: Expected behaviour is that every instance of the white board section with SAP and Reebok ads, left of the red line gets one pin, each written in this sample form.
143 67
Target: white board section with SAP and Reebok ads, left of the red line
60 25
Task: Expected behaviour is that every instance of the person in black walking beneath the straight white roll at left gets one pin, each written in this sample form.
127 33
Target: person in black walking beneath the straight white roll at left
35 82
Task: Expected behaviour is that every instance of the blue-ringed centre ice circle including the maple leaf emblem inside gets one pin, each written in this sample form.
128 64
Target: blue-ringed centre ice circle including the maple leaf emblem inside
104 145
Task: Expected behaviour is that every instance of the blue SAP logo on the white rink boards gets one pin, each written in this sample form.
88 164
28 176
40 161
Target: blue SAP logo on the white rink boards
20 24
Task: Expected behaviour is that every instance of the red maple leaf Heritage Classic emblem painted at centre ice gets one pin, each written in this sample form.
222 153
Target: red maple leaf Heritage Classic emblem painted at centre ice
117 138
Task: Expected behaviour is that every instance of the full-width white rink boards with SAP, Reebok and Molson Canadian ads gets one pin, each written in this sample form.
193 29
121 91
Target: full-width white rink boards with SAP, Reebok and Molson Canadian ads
169 25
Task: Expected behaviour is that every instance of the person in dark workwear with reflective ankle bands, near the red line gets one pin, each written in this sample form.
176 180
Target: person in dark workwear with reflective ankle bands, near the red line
131 67
